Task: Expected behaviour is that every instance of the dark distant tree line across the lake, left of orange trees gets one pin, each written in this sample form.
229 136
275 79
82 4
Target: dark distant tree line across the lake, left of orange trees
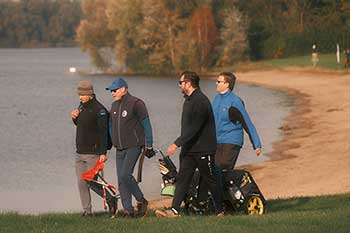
39 23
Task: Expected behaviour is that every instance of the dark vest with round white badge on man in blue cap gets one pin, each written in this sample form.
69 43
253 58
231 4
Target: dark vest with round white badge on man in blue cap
127 115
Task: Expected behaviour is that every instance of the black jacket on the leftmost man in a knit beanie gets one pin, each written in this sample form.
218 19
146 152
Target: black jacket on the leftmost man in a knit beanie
92 128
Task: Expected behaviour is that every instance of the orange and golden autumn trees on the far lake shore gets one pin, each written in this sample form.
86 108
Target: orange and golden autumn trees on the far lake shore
162 36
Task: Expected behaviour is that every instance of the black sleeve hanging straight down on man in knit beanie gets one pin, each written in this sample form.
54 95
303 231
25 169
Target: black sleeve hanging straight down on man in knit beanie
102 125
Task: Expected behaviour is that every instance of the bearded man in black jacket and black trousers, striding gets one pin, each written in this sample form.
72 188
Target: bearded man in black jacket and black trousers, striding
198 145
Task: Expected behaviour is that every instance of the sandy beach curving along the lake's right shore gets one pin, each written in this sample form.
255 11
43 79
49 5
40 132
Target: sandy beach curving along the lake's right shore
313 157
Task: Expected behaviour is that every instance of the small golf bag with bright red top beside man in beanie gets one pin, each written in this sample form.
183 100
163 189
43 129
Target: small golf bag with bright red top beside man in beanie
99 185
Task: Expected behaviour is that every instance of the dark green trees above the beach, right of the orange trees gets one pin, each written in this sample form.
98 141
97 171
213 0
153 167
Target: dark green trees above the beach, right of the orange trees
281 28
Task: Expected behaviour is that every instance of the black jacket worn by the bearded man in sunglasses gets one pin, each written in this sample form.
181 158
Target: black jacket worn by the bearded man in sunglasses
197 125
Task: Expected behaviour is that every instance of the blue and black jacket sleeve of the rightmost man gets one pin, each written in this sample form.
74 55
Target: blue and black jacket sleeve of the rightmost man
239 114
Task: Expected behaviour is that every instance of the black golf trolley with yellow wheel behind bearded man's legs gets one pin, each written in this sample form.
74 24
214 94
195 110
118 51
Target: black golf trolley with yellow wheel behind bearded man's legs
240 192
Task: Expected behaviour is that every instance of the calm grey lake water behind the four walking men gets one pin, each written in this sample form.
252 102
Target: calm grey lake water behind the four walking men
37 134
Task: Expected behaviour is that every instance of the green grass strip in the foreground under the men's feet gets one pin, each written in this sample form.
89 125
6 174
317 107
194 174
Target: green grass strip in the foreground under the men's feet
309 214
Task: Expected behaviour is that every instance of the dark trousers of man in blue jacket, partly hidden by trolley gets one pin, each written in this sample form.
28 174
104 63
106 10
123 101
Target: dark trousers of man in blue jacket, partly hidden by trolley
225 158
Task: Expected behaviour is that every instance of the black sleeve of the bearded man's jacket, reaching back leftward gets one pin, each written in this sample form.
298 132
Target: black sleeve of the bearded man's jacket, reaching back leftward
193 123
